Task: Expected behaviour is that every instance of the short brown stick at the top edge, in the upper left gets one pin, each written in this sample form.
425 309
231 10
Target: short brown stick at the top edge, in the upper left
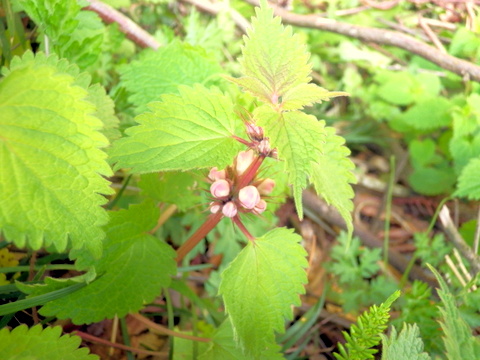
127 26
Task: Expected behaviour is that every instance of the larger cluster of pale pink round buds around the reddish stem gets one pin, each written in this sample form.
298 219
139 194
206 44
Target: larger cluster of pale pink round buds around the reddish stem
231 197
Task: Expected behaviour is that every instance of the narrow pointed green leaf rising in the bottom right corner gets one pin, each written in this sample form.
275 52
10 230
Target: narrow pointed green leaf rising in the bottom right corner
458 339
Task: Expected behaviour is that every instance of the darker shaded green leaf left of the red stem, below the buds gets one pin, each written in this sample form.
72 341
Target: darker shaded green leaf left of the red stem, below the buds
133 270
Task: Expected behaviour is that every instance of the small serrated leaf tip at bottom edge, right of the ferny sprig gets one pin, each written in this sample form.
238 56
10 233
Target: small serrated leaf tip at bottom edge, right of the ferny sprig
407 345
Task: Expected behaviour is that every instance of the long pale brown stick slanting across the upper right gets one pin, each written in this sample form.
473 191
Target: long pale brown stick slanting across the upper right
383 37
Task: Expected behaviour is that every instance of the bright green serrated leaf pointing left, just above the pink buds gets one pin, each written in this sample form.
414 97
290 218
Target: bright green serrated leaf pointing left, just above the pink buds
183 132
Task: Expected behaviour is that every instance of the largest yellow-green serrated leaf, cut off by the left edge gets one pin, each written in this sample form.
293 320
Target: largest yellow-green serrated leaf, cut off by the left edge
51 162
